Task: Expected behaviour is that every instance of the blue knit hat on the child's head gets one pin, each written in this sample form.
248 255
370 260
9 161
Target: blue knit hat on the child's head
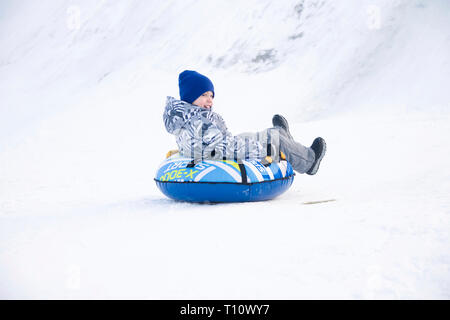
192 85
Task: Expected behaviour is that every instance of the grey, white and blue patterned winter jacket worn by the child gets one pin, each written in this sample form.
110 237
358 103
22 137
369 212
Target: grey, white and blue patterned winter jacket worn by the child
202 134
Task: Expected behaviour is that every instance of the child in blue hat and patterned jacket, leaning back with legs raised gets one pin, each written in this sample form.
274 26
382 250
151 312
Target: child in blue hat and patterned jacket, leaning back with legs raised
202 134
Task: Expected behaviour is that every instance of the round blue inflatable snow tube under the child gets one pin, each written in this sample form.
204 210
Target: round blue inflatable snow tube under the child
222 181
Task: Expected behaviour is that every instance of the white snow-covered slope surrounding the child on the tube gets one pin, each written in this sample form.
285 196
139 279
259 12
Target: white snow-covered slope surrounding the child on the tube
82 91
